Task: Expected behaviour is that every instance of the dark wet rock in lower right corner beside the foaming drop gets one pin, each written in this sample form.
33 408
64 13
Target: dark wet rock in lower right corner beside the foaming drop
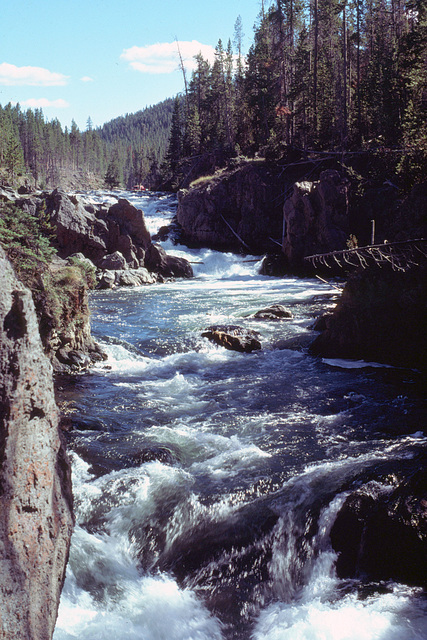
381 530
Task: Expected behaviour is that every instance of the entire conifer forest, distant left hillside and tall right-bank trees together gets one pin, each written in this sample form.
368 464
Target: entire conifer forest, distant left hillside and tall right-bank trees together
332 76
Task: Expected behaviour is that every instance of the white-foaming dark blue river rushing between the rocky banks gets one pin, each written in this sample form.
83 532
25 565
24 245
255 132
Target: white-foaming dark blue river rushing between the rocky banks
207 481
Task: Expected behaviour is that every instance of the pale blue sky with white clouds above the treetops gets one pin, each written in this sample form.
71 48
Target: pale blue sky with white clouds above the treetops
102 59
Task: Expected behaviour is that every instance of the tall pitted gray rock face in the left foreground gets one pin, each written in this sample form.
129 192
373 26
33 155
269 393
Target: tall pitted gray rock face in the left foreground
35 488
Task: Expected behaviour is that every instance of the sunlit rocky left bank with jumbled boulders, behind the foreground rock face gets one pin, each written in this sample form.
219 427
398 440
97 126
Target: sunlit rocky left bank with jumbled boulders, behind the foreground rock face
95 245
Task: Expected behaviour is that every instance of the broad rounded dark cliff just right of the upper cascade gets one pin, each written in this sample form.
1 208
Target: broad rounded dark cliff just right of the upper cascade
234 210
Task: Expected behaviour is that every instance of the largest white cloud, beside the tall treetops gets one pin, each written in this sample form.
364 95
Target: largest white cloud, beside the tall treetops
163 57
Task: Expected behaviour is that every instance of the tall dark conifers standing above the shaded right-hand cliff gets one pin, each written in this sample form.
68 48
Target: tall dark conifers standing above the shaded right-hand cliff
320 75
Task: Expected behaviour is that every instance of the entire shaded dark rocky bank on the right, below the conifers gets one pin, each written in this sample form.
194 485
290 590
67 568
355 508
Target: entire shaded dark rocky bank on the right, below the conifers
382 313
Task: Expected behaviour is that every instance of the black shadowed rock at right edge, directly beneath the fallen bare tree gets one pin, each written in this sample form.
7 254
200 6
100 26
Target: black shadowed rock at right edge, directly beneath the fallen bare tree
381 316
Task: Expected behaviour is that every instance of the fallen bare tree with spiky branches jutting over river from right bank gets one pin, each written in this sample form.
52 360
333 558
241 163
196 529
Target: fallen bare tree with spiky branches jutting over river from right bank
401 256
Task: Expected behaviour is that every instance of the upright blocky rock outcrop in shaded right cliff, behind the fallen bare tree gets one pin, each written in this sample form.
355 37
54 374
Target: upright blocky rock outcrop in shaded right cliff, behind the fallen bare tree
316 218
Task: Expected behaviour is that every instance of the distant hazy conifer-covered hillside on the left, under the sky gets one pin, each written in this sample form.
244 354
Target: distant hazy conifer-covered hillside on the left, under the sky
124 152
